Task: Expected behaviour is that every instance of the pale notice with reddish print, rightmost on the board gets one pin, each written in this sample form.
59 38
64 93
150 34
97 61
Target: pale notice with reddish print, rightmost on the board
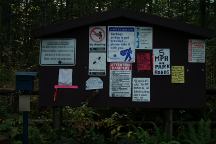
196 51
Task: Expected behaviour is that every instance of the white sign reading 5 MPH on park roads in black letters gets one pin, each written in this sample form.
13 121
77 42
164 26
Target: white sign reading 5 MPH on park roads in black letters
161 61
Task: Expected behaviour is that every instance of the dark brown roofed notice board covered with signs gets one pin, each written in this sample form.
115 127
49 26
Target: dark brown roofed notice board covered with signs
122 59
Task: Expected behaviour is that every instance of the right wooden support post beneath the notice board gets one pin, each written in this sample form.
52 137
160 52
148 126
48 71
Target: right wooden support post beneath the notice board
169 123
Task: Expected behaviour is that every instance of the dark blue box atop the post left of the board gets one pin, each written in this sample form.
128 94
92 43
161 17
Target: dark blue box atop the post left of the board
25 81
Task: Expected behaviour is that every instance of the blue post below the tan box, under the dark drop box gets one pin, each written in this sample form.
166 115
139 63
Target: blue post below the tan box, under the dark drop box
25 127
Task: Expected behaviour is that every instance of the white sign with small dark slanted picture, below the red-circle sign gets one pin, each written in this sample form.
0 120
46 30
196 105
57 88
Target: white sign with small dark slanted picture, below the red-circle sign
97 64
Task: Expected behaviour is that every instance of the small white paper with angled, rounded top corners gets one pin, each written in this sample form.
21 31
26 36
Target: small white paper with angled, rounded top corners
94 83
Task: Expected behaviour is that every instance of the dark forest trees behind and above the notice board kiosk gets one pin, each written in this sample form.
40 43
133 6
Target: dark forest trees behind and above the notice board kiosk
18 18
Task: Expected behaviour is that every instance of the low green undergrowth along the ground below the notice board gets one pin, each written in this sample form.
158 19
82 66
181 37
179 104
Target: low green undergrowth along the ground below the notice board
83 125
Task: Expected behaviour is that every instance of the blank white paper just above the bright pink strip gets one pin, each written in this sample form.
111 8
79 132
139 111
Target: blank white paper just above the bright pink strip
65 77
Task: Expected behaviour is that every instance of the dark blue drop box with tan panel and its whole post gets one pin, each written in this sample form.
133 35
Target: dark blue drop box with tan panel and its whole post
25 85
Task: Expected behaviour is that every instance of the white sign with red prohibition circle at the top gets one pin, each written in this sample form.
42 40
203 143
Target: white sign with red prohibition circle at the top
97 39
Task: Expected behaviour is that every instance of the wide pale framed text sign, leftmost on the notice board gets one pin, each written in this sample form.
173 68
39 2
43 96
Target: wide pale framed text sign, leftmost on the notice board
58 52
